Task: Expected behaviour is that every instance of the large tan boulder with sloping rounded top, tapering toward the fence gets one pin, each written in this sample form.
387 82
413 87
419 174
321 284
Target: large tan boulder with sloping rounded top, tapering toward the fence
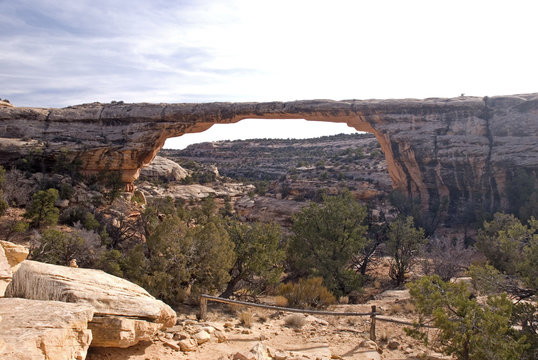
125 313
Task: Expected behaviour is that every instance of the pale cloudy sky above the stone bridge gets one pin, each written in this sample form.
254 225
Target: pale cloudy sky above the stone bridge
55 53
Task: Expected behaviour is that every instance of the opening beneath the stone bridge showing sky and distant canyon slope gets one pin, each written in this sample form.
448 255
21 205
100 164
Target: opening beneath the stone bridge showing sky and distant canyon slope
309 156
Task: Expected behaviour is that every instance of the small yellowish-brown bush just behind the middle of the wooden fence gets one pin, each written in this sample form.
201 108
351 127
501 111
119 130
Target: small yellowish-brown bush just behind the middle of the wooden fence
307 293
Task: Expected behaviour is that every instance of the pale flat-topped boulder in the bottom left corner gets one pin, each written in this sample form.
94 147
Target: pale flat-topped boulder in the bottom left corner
43 330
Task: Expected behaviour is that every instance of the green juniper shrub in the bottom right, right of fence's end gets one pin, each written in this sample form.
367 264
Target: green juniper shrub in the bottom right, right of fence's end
468 330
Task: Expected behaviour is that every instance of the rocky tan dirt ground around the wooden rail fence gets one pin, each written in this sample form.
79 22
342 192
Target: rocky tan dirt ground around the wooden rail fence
319 337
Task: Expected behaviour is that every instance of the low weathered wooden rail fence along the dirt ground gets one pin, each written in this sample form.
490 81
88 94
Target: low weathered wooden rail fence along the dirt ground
372 314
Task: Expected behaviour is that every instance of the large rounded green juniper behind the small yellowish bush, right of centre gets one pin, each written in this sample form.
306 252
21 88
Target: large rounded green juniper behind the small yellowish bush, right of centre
325 239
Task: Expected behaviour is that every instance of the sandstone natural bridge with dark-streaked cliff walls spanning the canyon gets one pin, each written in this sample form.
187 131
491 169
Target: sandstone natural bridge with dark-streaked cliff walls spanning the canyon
441 151
